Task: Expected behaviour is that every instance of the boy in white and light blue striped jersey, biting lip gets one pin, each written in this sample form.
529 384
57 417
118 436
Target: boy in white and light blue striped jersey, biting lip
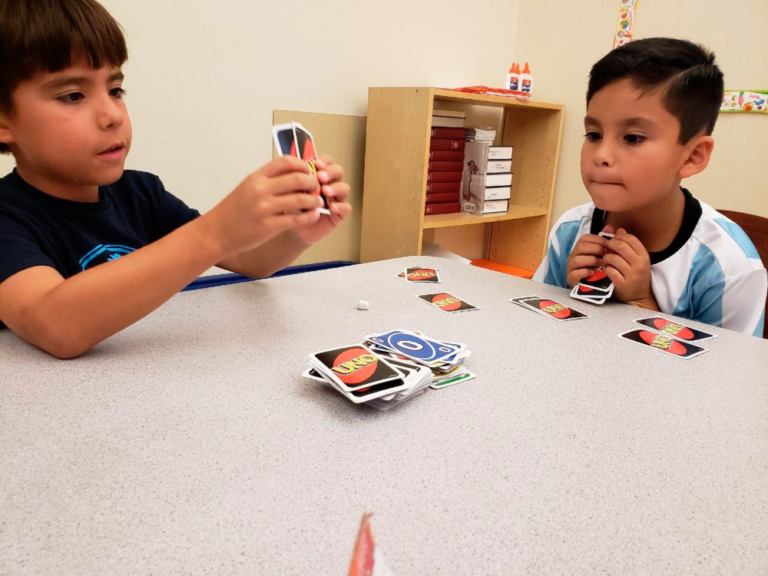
651 109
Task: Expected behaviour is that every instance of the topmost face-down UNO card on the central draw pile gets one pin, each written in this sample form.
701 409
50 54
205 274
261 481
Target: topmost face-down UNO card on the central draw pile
354 367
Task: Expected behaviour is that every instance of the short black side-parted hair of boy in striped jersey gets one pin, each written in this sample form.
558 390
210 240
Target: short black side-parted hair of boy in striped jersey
692 82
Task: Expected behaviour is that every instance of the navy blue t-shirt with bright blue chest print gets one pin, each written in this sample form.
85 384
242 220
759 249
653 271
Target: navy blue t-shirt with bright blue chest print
37 229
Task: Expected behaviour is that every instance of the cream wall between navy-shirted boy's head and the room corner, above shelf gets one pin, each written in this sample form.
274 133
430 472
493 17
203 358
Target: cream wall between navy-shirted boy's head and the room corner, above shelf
204 76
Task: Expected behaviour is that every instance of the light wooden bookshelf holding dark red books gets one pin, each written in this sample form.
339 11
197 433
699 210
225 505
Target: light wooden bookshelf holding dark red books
396 163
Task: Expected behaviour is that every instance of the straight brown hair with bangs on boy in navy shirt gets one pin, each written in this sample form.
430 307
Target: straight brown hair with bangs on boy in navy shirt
50 35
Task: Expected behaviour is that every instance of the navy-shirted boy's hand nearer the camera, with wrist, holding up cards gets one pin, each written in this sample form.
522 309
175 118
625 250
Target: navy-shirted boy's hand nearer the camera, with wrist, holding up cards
268 202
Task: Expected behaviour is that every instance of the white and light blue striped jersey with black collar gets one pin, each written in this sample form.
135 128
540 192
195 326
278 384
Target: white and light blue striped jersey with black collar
711 272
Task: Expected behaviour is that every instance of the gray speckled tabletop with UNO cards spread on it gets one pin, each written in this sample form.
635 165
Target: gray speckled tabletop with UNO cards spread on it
190 443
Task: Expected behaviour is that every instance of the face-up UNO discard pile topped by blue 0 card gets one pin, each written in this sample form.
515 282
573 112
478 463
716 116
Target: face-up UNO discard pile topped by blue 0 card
444 359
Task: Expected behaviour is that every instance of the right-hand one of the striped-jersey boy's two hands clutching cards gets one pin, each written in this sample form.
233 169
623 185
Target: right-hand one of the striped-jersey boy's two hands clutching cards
628 265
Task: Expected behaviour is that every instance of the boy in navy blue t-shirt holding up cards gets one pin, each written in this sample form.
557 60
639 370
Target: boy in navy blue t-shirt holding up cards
87 248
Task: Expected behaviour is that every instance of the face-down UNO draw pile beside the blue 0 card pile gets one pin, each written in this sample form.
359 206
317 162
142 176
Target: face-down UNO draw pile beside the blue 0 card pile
364 376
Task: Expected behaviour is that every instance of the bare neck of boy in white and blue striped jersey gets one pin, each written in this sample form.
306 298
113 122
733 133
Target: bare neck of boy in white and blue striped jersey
655 225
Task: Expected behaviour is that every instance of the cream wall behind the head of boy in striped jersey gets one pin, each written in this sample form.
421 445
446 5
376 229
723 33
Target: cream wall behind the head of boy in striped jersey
562 39
